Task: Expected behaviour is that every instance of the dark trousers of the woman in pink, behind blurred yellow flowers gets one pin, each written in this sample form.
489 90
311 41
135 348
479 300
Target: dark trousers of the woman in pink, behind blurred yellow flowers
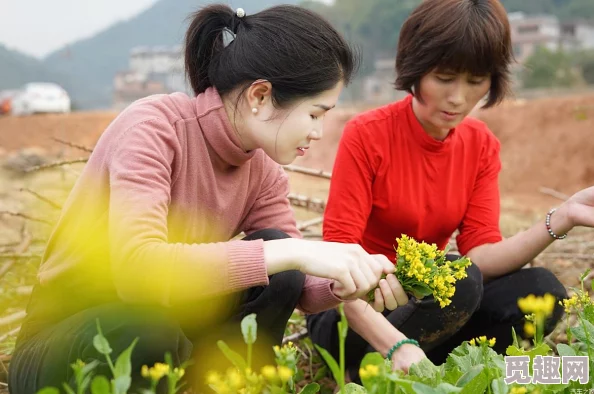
43 354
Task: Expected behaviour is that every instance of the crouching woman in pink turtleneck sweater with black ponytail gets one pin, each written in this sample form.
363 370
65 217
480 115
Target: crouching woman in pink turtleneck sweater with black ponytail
147 243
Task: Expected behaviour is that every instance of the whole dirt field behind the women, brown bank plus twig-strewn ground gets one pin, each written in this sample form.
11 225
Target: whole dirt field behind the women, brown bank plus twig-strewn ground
546 143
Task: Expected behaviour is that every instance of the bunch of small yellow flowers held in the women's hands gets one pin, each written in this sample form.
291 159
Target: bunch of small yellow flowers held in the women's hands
423 270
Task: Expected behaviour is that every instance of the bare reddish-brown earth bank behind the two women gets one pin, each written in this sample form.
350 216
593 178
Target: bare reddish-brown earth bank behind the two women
545 142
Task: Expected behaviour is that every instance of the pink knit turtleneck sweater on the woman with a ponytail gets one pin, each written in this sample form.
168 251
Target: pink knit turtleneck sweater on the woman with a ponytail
152 217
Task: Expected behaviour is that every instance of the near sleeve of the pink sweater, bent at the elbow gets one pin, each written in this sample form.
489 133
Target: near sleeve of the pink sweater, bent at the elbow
146 267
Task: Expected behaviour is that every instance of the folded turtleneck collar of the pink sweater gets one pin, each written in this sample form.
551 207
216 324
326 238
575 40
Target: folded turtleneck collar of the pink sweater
218 130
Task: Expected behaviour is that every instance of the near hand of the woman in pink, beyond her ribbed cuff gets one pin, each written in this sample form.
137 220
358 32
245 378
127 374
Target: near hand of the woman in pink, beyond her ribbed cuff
355 271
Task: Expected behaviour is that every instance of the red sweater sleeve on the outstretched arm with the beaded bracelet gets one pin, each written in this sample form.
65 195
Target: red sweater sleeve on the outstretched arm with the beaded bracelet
480 224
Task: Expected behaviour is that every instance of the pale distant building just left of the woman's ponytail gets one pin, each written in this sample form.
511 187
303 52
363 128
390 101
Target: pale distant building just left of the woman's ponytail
153 70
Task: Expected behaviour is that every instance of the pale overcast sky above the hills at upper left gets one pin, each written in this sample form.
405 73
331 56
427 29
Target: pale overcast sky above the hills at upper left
37 27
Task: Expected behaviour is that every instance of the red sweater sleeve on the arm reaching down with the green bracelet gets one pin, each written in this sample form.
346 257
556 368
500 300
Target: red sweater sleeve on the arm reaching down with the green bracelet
350 198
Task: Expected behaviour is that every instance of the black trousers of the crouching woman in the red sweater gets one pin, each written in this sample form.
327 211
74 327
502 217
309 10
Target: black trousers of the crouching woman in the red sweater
477 309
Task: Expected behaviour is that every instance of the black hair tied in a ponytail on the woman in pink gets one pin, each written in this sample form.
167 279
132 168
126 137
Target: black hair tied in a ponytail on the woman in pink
295 49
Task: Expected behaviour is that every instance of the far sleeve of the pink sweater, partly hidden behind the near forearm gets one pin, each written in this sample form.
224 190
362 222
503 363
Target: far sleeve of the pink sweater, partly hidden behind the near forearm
272 210
